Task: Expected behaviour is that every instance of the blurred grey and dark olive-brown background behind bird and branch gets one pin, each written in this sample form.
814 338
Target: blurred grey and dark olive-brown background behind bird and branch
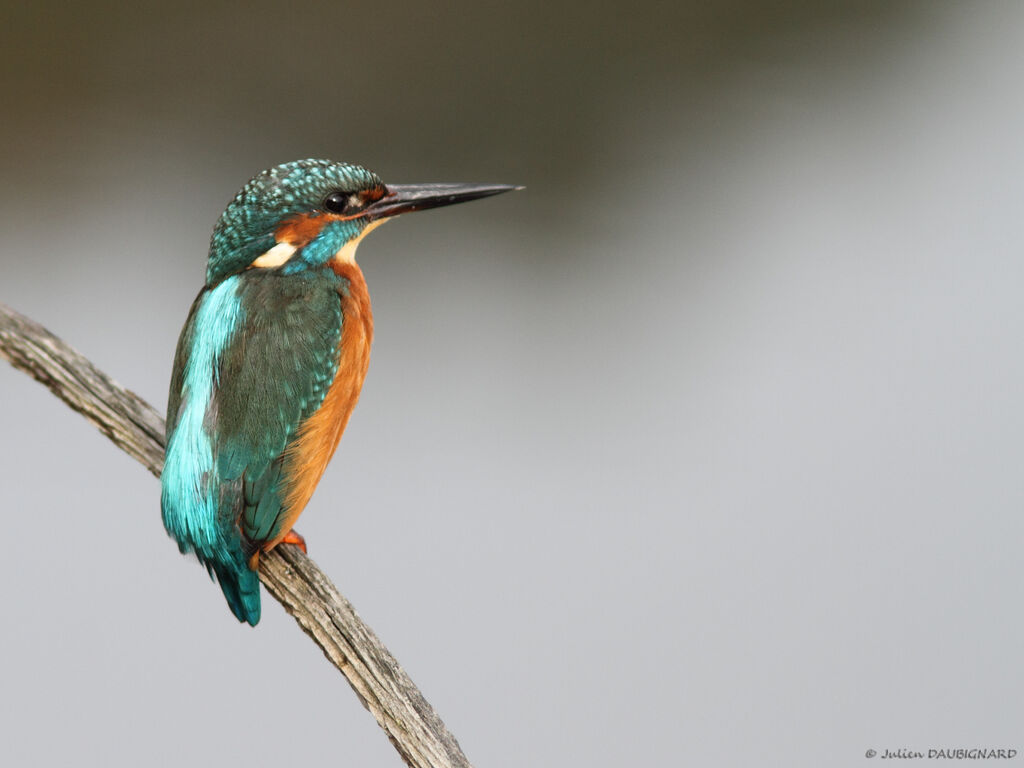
705 450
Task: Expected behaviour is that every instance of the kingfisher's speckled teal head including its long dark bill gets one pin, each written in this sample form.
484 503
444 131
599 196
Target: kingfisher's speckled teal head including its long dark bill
303 215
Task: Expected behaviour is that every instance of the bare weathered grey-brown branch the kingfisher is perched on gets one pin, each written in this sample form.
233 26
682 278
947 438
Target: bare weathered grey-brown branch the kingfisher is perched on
291 577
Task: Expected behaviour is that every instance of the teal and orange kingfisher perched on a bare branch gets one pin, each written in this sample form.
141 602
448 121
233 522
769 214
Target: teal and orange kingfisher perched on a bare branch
272 360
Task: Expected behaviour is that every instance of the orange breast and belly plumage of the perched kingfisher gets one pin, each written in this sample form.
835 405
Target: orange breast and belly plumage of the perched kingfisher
310 453
